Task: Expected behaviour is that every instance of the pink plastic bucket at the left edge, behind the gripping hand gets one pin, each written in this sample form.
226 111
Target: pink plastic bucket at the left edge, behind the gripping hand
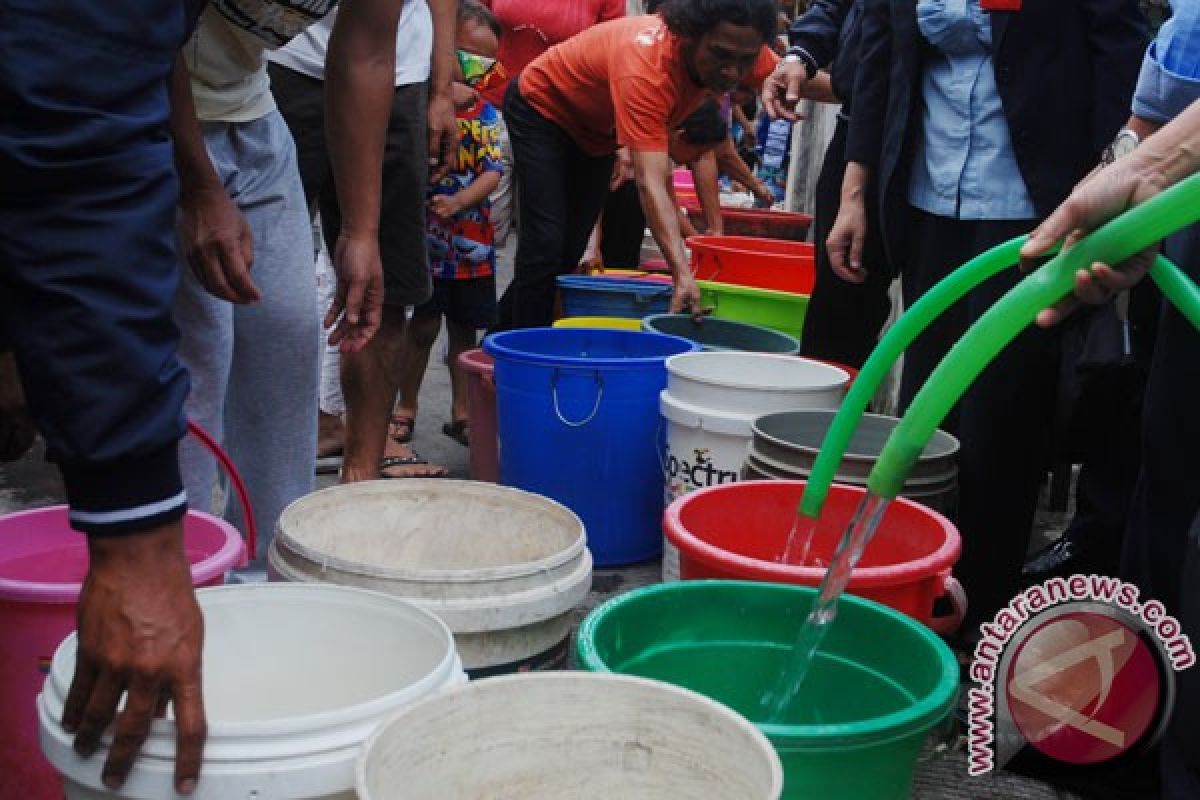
43 566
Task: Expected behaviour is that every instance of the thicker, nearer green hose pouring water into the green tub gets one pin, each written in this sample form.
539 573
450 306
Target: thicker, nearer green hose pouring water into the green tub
1132 232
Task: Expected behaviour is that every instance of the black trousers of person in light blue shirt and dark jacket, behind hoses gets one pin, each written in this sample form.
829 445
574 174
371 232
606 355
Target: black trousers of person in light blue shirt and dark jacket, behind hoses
1004 420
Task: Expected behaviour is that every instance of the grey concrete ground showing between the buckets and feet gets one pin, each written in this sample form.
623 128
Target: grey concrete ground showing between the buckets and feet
941 774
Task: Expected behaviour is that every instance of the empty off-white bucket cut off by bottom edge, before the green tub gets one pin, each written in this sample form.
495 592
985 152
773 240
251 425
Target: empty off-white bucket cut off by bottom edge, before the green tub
578 736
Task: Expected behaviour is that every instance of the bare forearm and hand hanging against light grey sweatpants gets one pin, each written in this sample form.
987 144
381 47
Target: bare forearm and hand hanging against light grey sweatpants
214 237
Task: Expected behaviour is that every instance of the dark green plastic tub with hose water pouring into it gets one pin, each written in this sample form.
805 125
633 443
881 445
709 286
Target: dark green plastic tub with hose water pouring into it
879 685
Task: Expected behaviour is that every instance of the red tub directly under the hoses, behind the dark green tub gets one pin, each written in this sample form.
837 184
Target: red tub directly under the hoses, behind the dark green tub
737 531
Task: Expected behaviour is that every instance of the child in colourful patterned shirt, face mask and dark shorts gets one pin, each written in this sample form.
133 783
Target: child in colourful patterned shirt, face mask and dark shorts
460 233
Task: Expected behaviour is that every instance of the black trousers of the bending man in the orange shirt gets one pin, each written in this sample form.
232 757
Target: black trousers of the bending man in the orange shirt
561 191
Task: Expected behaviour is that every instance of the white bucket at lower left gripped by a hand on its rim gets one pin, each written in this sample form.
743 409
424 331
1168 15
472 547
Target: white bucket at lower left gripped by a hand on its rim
296 679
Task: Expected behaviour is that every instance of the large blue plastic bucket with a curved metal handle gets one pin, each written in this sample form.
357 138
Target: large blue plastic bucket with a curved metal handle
578 413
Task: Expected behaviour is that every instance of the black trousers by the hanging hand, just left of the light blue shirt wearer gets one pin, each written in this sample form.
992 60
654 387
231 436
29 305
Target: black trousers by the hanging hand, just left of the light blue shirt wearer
844 320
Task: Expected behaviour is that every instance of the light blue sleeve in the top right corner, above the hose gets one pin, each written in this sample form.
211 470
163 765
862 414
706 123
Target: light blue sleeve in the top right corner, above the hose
1171 73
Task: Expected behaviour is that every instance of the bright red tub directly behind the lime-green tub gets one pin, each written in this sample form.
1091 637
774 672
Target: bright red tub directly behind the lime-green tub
760 263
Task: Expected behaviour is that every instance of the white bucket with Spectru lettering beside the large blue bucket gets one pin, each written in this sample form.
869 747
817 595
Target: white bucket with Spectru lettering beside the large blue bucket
710 407
